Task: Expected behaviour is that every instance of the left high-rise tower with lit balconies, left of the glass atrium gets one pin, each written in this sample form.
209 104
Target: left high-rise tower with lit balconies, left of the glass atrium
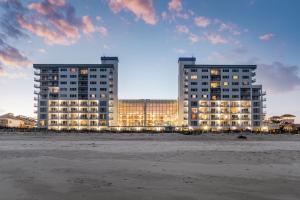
77 96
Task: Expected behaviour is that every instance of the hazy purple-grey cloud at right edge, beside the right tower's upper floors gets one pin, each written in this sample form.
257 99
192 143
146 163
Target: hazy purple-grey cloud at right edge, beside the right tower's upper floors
278 77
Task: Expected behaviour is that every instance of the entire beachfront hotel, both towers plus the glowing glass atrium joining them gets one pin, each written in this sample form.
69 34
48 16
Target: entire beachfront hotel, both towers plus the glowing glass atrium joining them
85 96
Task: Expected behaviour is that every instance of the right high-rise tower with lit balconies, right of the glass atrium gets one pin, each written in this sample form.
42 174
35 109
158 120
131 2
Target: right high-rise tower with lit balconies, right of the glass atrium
218 97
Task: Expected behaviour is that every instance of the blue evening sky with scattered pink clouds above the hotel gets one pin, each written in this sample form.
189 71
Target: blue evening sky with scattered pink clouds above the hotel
148 36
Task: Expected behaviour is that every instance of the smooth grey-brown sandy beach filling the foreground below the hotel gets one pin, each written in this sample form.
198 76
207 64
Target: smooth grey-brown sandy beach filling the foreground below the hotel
143 166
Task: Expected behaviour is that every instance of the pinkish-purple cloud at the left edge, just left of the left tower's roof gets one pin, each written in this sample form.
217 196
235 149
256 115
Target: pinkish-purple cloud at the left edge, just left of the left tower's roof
12 57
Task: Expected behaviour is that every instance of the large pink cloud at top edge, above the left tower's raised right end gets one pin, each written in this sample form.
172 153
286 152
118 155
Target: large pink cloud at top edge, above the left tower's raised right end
141 8
